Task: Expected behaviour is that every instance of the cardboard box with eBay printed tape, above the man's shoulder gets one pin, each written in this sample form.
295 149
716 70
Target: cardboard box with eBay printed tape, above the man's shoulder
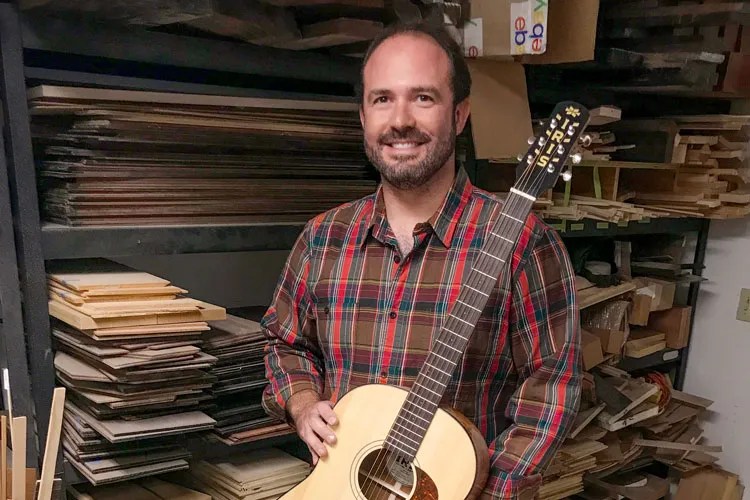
535 31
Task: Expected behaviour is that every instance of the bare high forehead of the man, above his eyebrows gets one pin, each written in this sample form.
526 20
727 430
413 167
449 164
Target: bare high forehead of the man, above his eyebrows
407 60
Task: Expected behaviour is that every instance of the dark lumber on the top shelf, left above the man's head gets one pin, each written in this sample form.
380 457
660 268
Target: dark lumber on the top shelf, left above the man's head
298 25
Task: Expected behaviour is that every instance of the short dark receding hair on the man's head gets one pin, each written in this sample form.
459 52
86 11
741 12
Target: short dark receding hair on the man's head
460 77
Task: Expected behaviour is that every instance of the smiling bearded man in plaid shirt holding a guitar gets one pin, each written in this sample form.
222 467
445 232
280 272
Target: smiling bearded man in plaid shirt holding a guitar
367 284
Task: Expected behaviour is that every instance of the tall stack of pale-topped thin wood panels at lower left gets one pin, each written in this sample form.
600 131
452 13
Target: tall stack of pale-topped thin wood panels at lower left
133 368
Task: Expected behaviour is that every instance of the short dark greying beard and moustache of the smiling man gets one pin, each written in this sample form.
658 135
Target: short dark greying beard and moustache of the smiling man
408 171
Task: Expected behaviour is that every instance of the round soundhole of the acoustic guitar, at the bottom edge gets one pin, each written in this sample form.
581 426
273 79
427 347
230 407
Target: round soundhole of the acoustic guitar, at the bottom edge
384 475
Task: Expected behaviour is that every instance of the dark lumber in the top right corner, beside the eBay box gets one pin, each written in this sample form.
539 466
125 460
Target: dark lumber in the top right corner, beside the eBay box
683 46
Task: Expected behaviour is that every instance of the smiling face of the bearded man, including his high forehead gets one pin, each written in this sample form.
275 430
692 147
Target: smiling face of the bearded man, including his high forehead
407 110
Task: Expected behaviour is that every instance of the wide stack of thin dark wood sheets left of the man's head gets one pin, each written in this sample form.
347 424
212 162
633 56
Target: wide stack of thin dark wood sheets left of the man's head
115 157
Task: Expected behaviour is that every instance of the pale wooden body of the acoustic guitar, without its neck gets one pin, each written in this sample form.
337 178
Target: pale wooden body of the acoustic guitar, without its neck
452 462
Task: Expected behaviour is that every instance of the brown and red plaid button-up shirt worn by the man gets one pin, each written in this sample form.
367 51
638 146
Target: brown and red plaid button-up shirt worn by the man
350 310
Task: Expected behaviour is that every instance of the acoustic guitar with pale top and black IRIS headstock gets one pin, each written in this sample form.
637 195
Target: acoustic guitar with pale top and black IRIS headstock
397 444
